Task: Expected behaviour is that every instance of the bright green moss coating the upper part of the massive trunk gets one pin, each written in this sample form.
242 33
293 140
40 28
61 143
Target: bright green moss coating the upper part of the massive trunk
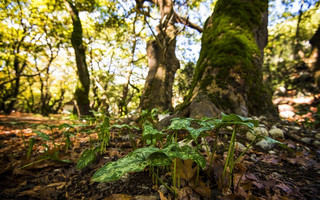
228 41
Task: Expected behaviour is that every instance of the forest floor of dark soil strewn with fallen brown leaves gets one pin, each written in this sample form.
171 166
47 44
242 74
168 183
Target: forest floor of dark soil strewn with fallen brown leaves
275 174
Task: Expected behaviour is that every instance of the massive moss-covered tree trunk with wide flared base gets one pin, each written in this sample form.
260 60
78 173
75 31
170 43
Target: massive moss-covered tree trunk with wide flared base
228 76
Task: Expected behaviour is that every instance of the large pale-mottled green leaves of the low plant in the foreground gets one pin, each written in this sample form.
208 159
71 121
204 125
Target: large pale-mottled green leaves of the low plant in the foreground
139 159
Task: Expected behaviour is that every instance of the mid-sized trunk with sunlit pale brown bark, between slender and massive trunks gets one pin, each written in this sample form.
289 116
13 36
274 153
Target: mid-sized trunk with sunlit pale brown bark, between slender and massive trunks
162 62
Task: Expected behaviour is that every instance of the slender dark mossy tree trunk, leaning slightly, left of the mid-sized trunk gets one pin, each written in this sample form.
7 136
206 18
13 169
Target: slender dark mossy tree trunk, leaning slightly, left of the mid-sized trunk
83 85
